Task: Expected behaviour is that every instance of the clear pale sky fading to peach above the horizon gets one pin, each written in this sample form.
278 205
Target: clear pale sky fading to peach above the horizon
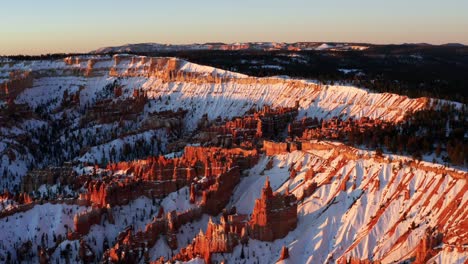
48 26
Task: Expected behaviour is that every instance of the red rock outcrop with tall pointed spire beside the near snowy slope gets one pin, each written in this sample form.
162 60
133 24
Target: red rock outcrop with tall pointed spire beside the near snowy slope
274 216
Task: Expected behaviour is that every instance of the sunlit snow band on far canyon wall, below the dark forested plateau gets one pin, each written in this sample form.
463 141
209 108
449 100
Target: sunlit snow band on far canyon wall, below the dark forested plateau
229 100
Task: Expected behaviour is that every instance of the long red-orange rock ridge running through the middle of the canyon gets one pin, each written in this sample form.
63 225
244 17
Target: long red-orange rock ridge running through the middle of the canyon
158 176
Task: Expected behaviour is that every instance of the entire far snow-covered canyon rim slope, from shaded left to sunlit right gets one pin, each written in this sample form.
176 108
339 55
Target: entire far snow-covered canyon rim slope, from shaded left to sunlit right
229 95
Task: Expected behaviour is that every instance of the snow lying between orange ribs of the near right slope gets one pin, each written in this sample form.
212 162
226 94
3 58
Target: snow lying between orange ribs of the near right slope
333 223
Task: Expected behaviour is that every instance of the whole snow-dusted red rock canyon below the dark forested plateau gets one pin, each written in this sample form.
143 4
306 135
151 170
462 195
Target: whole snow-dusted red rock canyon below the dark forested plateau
135 159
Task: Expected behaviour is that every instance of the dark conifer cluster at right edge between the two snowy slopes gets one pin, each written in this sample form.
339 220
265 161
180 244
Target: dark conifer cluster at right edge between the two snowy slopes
442 132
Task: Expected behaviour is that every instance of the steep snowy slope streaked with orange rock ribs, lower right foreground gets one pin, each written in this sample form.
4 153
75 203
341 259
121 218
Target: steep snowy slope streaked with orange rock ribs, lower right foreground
363 207
